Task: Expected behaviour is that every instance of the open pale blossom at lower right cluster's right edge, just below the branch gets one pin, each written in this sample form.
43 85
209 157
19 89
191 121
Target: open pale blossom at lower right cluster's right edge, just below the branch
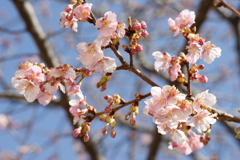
201 121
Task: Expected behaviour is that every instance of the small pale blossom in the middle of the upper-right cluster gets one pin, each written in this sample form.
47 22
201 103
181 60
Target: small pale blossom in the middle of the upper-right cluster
193 52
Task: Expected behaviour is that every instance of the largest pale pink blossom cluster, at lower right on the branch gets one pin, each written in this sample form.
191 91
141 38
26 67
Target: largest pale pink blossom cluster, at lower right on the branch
171 112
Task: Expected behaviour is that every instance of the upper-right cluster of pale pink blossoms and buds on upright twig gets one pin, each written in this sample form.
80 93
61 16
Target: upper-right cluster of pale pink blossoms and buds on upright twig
197 49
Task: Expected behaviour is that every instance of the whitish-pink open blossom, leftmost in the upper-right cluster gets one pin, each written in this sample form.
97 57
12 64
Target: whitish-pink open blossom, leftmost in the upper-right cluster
162 60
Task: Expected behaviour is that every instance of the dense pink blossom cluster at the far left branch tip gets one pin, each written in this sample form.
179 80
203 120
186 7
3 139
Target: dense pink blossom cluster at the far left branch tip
35 81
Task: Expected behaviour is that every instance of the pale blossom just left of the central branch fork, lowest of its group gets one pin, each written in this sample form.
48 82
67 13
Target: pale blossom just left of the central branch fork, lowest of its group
106 64
